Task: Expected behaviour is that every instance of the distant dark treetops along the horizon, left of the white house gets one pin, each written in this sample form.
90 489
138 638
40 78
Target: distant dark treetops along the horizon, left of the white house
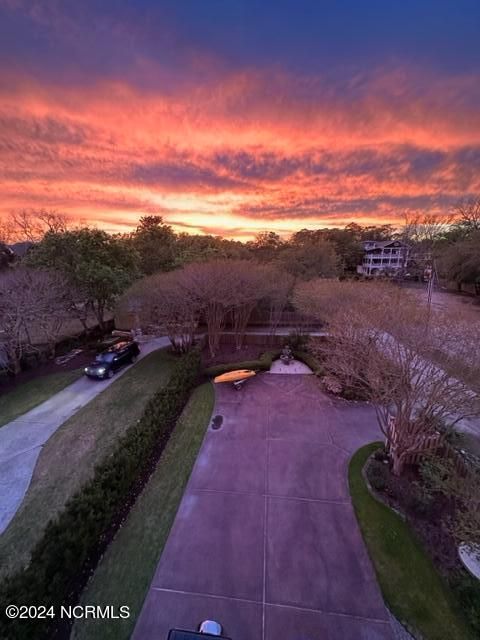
154 246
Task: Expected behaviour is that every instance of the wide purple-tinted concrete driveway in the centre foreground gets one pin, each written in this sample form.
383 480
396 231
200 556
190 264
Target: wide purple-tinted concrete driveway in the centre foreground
265 539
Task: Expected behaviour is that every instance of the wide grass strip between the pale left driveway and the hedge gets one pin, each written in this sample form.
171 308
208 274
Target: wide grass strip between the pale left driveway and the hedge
68 458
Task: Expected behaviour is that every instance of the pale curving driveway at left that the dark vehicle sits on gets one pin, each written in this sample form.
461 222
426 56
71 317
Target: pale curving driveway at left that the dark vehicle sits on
22 439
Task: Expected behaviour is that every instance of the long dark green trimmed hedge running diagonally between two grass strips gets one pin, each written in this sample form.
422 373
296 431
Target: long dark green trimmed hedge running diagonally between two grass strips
73 541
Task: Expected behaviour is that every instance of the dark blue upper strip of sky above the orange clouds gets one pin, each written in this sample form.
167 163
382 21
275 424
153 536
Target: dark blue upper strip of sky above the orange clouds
305 36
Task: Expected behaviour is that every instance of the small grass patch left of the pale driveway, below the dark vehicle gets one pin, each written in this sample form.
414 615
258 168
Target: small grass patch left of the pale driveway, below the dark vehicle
32 393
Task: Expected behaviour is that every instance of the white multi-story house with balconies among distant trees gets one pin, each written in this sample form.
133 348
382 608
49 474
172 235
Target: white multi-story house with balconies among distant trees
383 257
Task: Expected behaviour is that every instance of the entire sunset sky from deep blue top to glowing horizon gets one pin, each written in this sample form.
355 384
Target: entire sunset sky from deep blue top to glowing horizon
235 116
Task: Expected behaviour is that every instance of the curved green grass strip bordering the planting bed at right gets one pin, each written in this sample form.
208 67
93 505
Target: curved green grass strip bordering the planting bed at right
411 586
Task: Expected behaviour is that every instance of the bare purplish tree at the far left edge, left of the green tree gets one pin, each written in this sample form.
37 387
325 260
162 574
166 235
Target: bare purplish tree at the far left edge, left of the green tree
34 304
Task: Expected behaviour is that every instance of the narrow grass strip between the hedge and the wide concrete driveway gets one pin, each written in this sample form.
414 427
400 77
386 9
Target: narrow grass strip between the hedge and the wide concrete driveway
127 568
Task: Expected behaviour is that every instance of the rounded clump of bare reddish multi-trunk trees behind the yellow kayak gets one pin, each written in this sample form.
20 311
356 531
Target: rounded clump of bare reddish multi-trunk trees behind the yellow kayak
176 301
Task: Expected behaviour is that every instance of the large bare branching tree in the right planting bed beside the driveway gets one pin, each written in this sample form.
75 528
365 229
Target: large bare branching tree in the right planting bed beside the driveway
380 346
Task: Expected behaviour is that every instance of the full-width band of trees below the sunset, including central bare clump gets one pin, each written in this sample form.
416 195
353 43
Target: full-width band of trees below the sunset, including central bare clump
81 272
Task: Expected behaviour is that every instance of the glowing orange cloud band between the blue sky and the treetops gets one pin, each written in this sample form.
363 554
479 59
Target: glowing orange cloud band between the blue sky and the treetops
253 151
